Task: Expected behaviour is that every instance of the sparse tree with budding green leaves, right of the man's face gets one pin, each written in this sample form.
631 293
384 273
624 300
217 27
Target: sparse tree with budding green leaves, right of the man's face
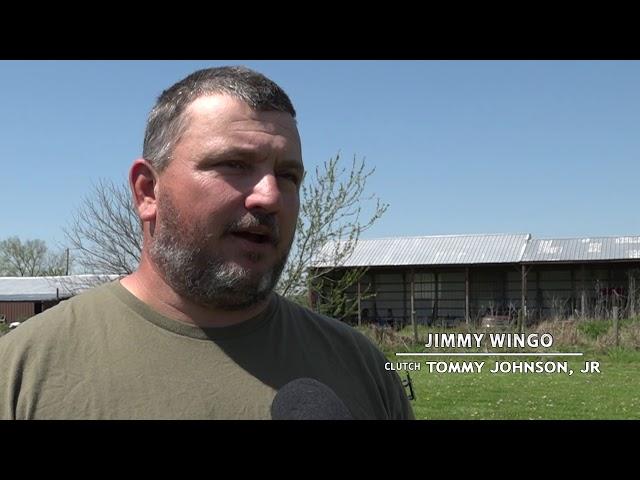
329 227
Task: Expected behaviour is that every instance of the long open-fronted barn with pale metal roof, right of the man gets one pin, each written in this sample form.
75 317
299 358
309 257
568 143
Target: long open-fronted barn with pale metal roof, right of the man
463 278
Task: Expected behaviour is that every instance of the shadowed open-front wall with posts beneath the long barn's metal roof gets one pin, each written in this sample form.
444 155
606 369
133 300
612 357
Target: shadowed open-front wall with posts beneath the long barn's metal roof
552 291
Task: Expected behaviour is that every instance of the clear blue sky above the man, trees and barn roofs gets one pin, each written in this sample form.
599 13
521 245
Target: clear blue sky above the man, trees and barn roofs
550 148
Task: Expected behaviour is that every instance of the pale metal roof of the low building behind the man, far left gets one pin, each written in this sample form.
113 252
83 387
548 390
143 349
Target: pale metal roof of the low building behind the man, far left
48 288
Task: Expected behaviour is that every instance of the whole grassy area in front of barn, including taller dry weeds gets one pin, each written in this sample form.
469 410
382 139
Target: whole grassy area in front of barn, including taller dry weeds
612 394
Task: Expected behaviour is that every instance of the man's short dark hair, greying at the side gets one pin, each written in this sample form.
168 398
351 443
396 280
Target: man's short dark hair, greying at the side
166 122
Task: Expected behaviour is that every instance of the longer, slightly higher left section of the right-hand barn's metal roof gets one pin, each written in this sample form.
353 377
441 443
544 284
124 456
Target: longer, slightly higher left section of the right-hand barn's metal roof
432 250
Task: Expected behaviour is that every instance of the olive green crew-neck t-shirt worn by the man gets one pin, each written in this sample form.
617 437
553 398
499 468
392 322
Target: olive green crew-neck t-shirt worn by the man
105 354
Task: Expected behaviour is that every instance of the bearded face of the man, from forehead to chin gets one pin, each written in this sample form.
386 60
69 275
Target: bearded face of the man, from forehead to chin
227 203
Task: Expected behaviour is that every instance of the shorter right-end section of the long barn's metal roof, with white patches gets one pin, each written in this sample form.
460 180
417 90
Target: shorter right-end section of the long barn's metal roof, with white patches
581 249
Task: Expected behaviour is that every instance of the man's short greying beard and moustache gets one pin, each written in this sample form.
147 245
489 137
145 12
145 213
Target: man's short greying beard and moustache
182 252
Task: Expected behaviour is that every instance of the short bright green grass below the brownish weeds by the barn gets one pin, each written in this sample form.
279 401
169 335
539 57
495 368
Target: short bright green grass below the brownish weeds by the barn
612 394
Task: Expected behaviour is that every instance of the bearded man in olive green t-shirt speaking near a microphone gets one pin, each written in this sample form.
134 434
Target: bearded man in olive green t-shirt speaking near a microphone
197 332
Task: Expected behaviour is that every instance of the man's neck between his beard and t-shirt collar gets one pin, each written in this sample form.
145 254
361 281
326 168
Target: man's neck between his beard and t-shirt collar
151 288
